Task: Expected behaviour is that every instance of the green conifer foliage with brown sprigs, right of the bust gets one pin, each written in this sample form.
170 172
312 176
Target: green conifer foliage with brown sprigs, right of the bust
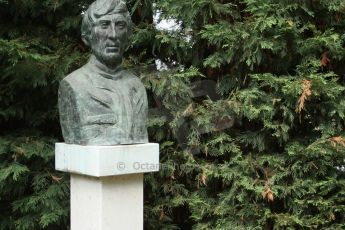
268 153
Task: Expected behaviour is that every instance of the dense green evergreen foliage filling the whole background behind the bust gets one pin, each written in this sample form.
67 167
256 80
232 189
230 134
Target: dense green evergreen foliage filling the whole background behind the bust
267 152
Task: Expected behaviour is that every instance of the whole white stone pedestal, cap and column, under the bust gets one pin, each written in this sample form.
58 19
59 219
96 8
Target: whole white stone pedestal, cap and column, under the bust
107 183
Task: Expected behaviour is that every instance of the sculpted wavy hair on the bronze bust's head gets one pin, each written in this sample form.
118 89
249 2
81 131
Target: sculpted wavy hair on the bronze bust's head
98 9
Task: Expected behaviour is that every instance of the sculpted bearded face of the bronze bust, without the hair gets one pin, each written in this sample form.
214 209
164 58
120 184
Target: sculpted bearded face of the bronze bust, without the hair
109 39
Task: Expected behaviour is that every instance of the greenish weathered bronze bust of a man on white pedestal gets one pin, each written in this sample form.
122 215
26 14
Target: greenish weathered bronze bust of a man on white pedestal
101 103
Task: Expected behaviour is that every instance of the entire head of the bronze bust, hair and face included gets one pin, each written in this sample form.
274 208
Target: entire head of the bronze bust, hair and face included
106 27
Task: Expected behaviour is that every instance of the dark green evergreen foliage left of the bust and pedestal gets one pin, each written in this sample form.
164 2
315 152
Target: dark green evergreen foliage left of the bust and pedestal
39 44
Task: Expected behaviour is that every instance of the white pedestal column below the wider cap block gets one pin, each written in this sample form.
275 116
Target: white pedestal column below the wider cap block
107 203
